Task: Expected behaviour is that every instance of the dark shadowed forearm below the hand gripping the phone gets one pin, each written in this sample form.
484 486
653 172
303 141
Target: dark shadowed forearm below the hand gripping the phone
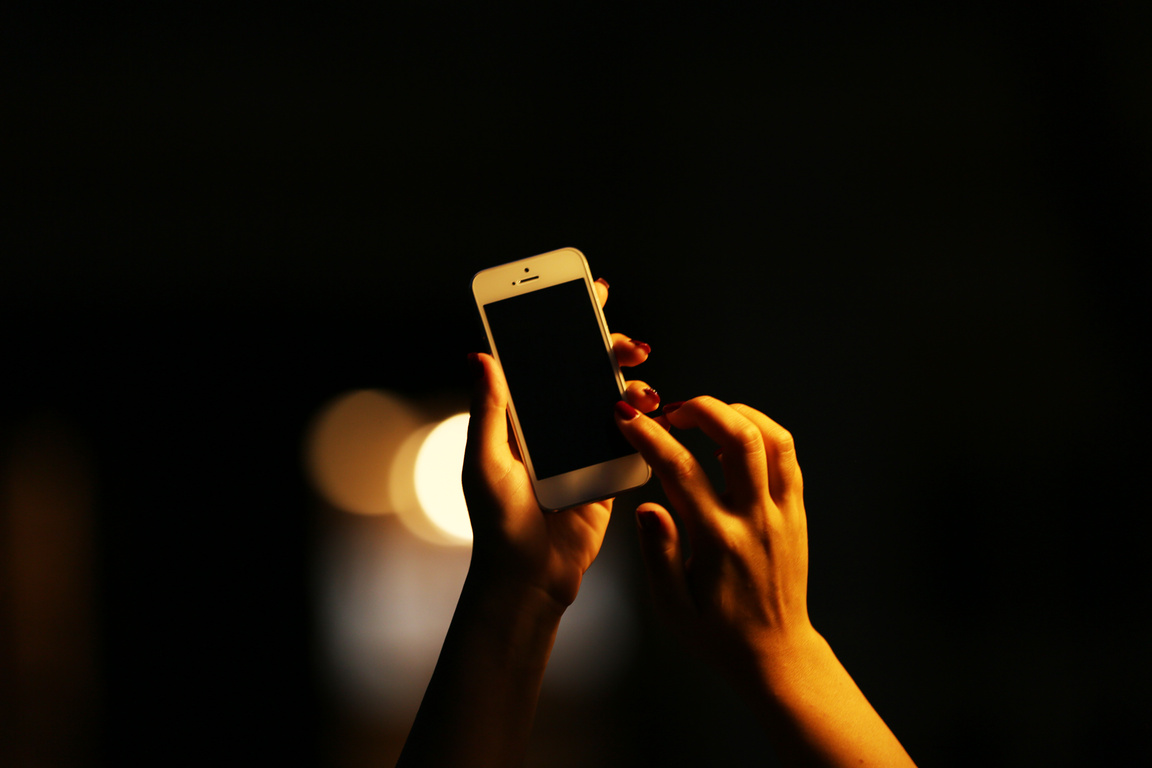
480 705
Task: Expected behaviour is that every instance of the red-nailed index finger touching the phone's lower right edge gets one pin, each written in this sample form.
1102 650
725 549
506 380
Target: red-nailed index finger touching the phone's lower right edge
683 477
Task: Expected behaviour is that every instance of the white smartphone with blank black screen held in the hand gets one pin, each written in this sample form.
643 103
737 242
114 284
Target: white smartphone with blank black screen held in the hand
548 333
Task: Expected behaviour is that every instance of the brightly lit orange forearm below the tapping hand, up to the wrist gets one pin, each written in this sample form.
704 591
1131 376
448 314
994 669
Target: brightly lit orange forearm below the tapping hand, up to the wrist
817 713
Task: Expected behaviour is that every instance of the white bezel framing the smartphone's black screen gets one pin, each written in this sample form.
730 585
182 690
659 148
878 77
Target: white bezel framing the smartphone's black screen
543 271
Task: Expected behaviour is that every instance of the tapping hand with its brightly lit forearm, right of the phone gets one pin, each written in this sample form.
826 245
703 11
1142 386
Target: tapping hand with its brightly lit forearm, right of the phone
742 597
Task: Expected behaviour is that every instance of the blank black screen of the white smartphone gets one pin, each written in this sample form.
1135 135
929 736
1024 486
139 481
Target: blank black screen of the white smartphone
560 377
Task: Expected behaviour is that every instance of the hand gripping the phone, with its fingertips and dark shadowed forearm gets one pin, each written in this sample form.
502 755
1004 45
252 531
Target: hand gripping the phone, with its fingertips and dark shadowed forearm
526 571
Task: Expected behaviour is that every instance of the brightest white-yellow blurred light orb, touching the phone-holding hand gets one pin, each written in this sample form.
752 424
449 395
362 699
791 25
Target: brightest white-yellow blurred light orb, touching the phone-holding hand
439 492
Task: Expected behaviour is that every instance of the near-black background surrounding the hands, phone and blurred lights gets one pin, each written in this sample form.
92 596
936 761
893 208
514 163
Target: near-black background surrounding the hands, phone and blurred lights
918 238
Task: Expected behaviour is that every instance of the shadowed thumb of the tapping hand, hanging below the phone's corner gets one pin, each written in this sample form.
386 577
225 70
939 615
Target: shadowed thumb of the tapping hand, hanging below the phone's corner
665 565
